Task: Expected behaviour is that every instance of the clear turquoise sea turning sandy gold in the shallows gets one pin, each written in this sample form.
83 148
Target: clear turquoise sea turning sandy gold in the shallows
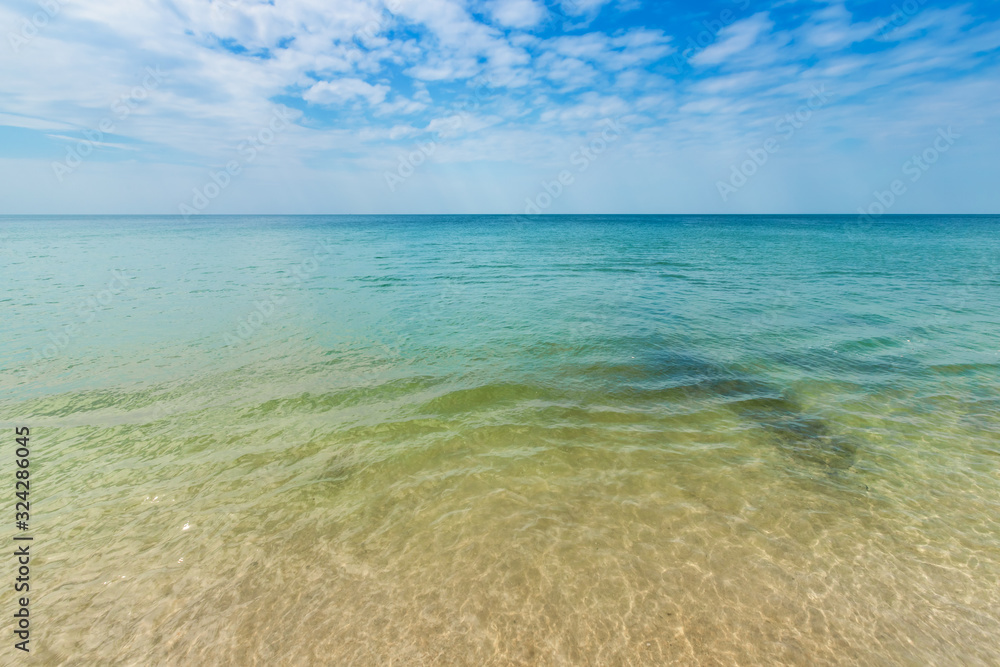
488 441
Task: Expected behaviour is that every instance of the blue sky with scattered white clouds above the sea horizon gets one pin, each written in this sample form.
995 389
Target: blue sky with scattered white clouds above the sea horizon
198 107
